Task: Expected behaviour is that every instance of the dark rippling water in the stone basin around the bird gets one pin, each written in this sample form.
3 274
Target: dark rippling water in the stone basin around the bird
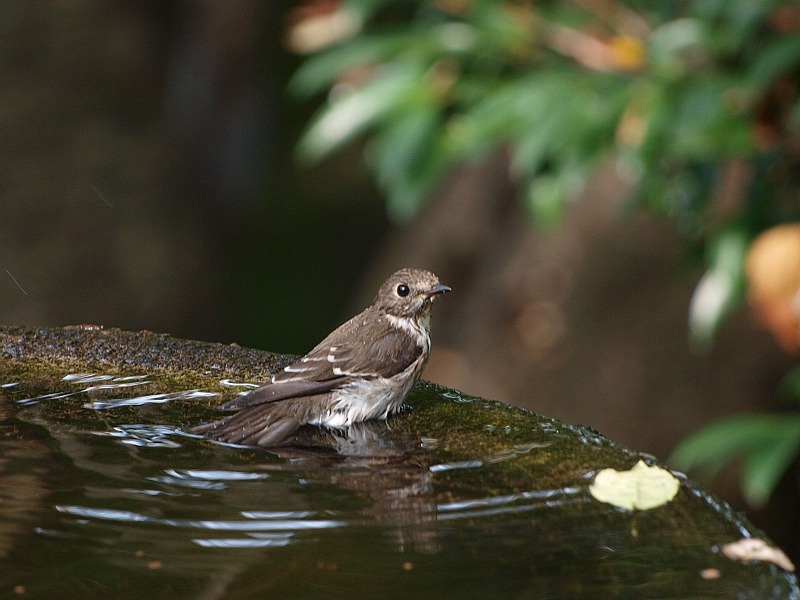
104 495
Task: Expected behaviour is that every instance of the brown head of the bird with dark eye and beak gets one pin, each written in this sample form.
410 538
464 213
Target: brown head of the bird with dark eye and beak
408 293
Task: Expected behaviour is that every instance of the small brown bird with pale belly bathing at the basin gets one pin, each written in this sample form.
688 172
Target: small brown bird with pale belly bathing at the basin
363 370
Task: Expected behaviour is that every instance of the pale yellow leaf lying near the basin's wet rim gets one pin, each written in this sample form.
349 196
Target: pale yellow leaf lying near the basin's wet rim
639 488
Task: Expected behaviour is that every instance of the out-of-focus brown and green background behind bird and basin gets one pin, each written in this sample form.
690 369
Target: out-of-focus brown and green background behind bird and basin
591 177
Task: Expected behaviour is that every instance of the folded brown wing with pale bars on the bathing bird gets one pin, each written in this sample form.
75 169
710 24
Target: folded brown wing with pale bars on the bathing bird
333 364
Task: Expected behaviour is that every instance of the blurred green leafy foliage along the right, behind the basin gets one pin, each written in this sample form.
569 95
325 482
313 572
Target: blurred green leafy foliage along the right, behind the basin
694 102
